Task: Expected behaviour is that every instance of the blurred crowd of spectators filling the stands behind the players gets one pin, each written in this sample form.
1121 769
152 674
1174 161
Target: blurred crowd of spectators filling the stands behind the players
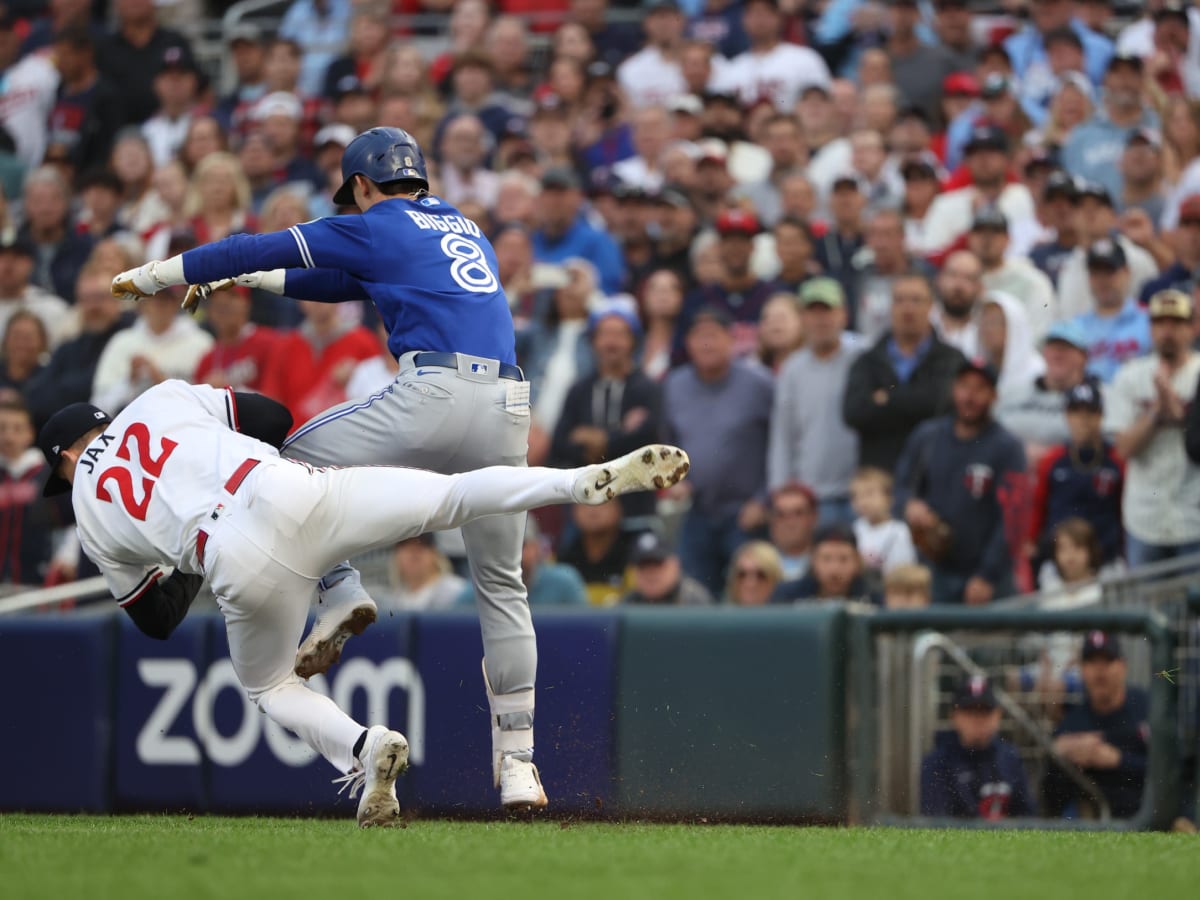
914 287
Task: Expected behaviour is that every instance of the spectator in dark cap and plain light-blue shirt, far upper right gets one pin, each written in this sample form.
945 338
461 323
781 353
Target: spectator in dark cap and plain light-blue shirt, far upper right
1094 151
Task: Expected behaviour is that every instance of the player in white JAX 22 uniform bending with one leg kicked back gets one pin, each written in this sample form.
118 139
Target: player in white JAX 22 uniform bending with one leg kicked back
179 491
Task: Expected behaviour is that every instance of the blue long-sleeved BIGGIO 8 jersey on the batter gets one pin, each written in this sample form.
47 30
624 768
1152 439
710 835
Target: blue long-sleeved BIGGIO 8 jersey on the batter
430 272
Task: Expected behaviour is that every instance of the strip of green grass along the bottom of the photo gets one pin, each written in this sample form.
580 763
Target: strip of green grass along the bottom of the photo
135 857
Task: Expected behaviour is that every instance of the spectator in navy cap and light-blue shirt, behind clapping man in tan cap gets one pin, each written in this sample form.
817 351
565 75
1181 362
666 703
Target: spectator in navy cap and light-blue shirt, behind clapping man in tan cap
1118 329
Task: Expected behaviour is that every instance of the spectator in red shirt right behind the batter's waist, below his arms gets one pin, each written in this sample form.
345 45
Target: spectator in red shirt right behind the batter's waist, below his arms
310 367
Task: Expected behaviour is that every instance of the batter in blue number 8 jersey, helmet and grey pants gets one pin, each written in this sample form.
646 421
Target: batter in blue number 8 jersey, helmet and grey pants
459 403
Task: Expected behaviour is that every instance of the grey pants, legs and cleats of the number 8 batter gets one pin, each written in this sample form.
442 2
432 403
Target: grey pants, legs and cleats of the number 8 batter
446 421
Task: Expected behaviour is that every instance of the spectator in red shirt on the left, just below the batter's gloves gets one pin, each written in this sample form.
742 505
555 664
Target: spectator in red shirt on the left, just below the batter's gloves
243 351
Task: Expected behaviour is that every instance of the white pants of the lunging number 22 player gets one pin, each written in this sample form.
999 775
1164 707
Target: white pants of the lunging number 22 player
289 524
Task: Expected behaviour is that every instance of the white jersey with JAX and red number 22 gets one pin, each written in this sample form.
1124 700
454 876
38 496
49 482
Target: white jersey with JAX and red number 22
145 487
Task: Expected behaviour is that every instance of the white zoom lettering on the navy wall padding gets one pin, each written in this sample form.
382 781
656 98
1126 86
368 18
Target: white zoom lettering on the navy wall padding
183 686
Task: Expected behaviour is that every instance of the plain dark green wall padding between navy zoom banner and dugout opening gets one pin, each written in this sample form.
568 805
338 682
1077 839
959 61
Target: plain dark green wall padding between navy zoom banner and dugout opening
735 713
